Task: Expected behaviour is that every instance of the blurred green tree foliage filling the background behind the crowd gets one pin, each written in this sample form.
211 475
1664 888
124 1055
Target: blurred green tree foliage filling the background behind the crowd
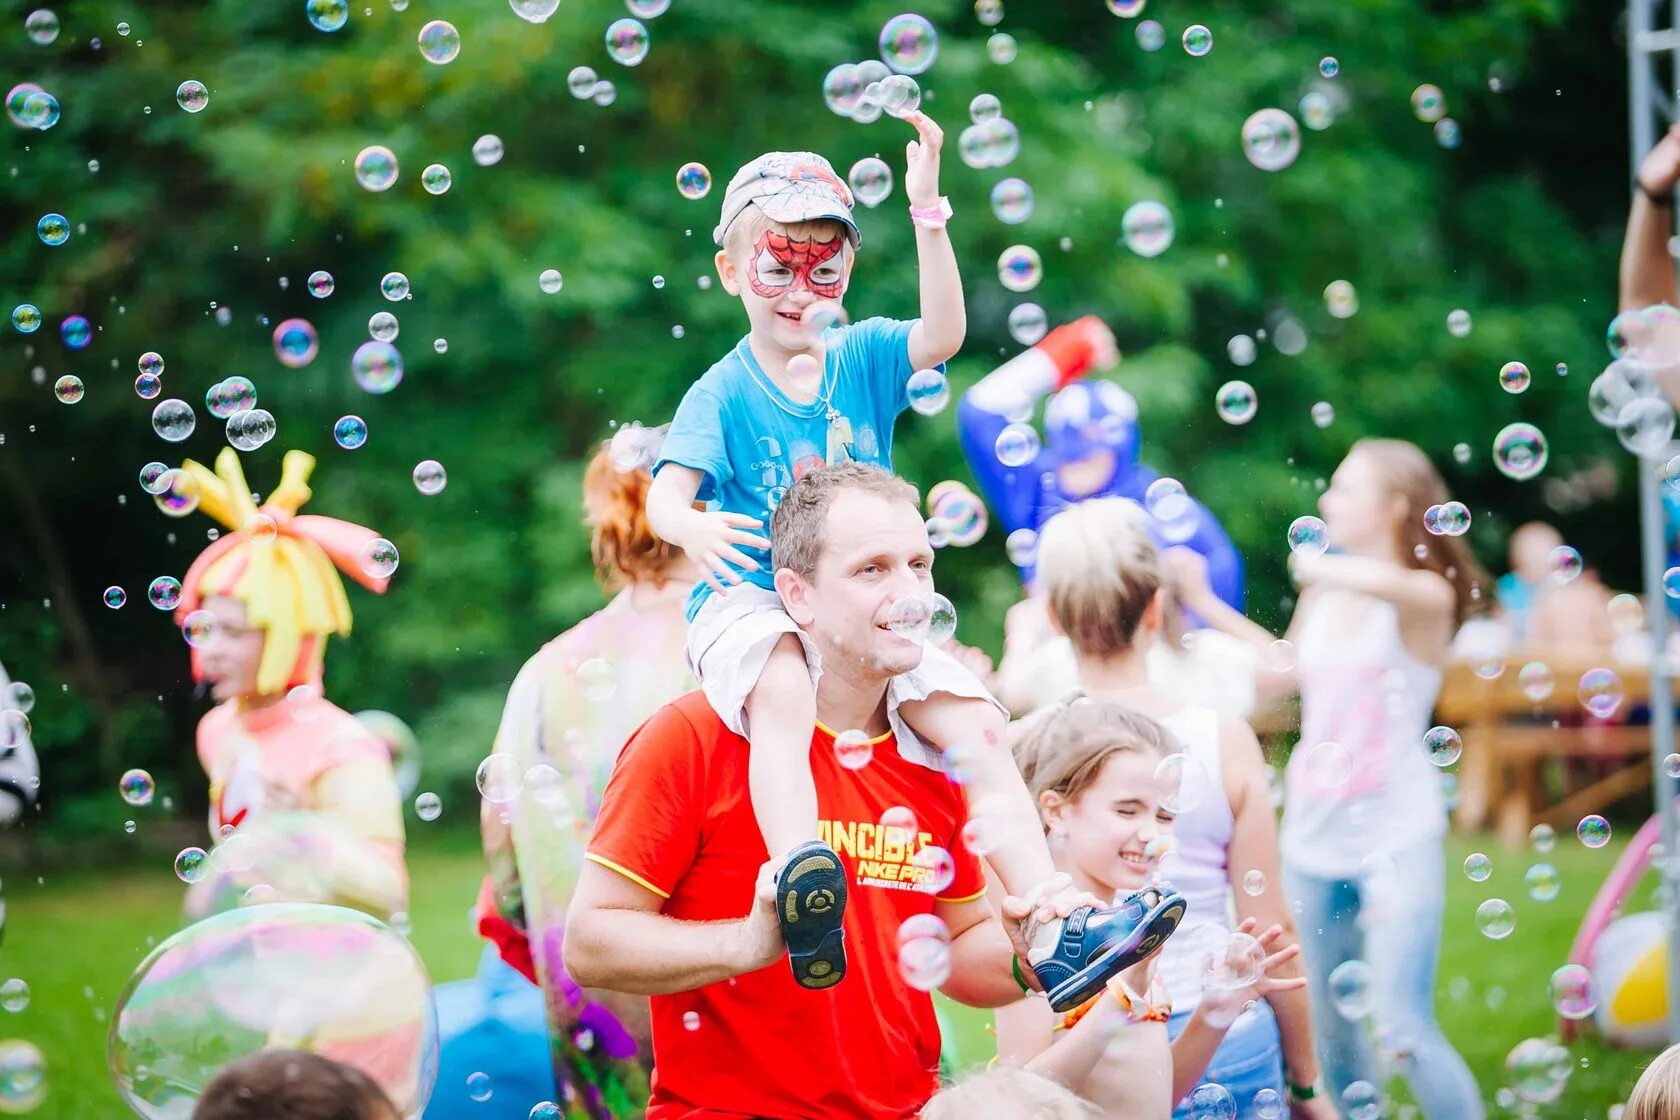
231 209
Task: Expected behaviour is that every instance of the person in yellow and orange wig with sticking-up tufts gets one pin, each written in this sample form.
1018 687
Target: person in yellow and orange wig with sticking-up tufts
303 798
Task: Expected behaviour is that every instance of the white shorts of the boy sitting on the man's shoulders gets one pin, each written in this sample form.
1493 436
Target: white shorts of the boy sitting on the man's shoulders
730 644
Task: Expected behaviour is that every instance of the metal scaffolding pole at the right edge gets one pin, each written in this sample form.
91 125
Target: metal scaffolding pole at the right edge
1652 107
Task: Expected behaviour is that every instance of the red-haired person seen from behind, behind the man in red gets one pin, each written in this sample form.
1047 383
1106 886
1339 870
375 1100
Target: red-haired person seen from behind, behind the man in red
569 714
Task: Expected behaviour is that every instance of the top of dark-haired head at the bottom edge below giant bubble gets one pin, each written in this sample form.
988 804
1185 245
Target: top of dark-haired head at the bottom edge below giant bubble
293 1086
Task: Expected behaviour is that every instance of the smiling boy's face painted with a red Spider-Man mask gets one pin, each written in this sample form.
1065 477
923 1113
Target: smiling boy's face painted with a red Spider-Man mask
782 276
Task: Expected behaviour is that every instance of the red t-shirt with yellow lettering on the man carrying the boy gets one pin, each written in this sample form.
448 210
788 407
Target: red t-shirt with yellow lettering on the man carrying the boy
678 820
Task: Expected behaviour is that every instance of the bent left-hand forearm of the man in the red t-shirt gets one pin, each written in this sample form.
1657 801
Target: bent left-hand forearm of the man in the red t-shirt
651 955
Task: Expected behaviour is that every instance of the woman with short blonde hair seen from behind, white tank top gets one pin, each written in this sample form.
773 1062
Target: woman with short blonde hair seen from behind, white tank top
1101 578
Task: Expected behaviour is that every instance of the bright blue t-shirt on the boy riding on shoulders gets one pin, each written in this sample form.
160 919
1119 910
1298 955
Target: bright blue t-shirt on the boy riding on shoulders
752 441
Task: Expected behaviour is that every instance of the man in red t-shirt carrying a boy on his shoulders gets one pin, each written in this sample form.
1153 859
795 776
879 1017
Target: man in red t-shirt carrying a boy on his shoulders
676 899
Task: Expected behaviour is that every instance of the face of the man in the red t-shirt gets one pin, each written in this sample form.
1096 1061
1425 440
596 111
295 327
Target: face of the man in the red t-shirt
874 553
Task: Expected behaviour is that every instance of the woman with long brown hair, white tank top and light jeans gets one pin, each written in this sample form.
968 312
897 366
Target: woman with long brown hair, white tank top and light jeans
1365 814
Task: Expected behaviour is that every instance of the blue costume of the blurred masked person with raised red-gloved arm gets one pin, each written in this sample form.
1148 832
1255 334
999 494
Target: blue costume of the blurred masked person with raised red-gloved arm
1029 496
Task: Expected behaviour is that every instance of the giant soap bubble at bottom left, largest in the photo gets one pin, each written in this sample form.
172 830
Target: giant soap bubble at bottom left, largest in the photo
280 976
